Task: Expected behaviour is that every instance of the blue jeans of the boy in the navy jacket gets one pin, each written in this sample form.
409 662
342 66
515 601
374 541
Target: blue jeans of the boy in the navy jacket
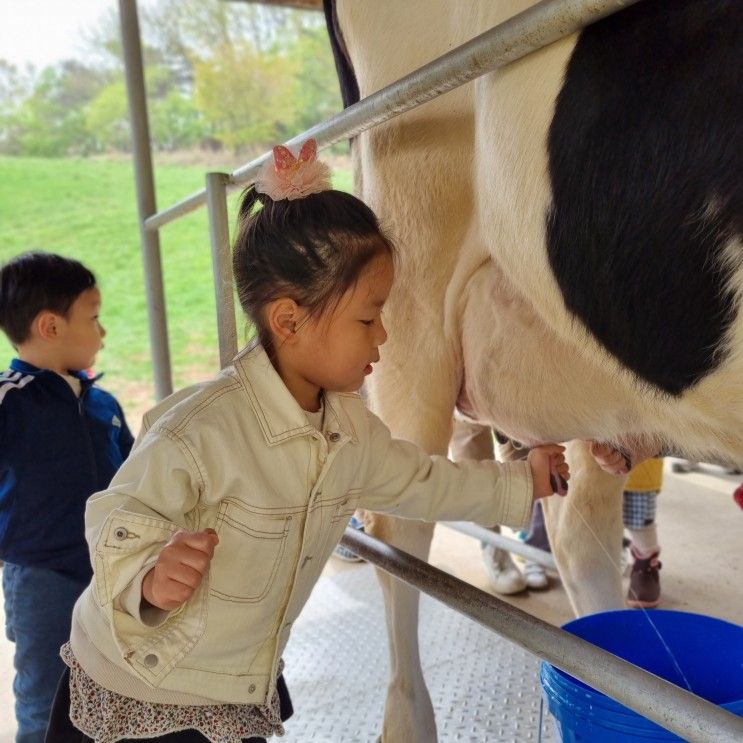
38 621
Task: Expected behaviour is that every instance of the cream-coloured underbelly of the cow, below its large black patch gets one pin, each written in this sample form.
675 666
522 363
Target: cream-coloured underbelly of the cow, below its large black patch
527 382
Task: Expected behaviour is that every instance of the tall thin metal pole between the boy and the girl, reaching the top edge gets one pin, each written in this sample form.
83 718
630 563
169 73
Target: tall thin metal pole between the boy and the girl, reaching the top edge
134 72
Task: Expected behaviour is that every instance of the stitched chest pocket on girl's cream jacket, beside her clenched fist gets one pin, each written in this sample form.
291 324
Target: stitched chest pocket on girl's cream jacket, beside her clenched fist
253 543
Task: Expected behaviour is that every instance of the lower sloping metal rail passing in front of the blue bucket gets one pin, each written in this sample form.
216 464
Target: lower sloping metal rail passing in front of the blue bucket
689 716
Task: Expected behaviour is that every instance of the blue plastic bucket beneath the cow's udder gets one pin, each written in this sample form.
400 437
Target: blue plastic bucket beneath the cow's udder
708 651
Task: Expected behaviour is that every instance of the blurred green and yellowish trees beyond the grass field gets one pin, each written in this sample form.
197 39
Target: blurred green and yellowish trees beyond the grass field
219 75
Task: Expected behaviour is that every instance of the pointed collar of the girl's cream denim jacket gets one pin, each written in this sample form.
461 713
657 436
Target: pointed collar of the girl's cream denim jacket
279 414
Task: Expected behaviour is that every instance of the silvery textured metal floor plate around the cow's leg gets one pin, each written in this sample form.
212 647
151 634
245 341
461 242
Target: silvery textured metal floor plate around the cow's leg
484 688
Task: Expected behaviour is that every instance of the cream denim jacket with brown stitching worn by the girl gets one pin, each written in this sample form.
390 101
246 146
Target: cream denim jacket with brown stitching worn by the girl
237 454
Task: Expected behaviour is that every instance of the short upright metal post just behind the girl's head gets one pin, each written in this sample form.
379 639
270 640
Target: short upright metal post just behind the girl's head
219 231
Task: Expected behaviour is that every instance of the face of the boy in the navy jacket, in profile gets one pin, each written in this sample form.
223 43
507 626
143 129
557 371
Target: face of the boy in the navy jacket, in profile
80 334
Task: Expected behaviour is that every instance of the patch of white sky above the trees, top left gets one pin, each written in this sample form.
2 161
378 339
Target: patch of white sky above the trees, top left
42 32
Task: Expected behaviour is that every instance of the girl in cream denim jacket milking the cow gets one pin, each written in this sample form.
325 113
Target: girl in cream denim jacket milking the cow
210 538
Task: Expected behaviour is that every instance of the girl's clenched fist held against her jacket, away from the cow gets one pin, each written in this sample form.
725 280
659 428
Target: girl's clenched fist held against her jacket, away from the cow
180 568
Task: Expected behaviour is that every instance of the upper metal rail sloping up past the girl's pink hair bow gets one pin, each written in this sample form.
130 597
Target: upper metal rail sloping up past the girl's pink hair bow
526 32
